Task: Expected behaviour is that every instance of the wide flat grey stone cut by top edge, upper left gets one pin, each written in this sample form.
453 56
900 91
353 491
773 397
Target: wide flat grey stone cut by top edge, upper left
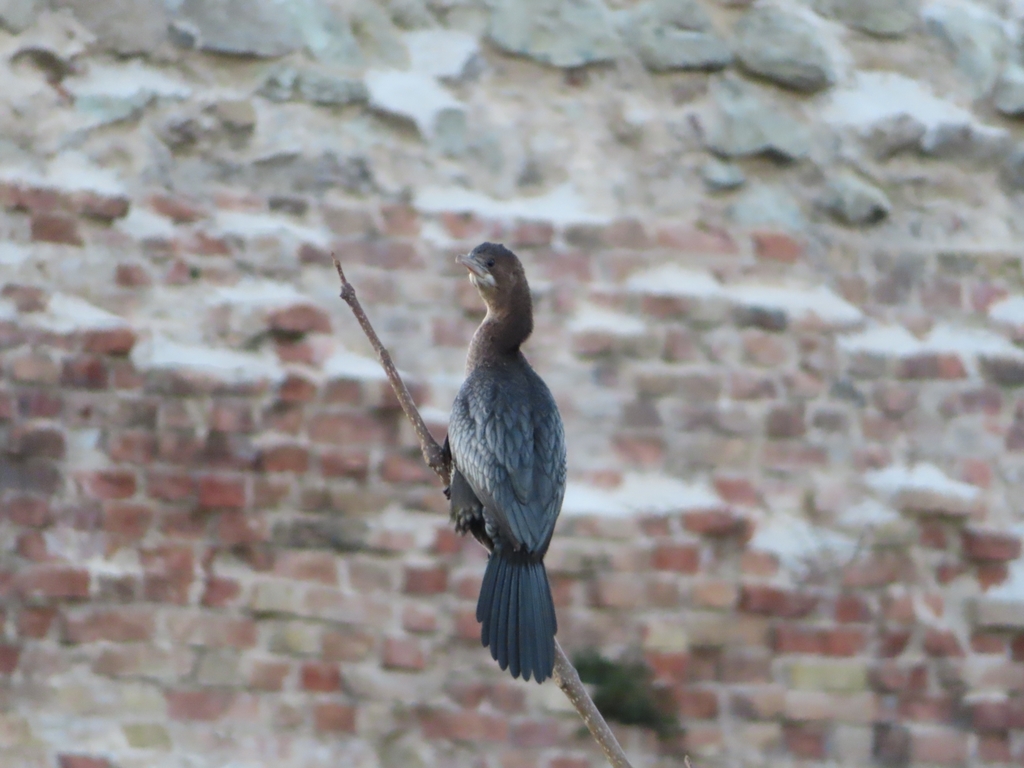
251 28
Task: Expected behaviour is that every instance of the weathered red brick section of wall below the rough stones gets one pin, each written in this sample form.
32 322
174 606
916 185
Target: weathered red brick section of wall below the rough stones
795 477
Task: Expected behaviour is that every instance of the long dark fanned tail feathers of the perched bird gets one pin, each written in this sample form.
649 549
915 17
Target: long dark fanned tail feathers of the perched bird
519 616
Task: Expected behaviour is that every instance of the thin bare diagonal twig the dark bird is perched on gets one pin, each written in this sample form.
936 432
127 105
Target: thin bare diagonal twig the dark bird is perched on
566 675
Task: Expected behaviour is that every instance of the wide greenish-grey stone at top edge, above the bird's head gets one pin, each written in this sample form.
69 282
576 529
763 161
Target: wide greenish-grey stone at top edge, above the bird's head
556 32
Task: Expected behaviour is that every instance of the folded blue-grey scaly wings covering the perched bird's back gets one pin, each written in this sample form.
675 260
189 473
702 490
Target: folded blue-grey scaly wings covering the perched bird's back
514 455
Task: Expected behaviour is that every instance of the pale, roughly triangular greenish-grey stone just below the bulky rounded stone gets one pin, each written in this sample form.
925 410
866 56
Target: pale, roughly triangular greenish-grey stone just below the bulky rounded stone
745 125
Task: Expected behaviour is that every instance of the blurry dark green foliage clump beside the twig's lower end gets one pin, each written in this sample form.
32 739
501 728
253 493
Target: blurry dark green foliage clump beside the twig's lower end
624 693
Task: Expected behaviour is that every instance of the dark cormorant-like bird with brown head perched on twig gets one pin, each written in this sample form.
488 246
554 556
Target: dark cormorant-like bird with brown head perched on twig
506 444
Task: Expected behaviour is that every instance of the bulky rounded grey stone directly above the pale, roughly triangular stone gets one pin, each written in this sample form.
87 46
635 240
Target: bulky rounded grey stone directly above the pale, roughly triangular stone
785 48
